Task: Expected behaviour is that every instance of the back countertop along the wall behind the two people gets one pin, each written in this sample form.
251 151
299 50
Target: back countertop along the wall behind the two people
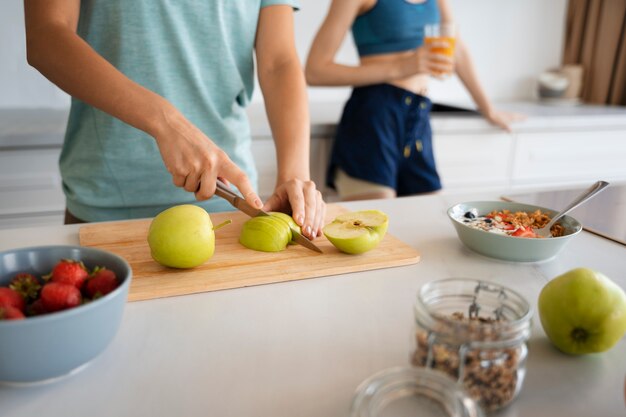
46 127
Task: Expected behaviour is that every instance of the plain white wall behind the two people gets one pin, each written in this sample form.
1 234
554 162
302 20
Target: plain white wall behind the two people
511 42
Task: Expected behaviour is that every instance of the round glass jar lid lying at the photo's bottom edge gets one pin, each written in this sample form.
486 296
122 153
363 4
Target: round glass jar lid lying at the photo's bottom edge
402 391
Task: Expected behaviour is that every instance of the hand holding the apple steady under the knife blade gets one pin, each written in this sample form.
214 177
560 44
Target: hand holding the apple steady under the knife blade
305 203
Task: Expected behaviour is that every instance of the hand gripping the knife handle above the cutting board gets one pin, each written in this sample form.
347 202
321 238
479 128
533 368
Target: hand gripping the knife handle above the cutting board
195 161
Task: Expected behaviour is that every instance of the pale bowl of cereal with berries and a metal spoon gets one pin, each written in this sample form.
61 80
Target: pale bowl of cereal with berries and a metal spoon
506 230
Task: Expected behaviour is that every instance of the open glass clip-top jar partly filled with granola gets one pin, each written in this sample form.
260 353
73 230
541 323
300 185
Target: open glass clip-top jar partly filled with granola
476 332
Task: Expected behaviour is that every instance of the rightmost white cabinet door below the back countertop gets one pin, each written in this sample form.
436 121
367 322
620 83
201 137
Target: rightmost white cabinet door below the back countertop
561 158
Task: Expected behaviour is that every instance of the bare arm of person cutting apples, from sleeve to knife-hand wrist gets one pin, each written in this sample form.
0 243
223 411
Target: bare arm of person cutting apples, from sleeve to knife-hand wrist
79 71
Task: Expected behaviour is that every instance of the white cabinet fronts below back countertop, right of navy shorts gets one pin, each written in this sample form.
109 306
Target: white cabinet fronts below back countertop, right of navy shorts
530 160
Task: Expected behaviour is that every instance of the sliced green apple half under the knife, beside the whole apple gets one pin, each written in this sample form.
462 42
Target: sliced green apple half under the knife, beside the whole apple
266 233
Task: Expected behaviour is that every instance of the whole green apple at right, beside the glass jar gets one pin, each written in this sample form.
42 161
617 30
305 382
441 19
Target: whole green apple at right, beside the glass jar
582 311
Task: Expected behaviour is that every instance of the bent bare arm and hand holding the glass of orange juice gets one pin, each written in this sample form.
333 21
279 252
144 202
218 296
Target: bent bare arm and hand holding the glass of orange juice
321 68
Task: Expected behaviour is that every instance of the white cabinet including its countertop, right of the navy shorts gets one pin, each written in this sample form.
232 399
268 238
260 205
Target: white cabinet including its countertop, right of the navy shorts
554 148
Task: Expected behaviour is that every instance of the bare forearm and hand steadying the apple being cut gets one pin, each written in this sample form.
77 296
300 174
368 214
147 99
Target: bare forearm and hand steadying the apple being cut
284 90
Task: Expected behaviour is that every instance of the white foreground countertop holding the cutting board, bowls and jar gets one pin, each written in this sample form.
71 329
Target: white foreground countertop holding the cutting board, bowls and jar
301 348
